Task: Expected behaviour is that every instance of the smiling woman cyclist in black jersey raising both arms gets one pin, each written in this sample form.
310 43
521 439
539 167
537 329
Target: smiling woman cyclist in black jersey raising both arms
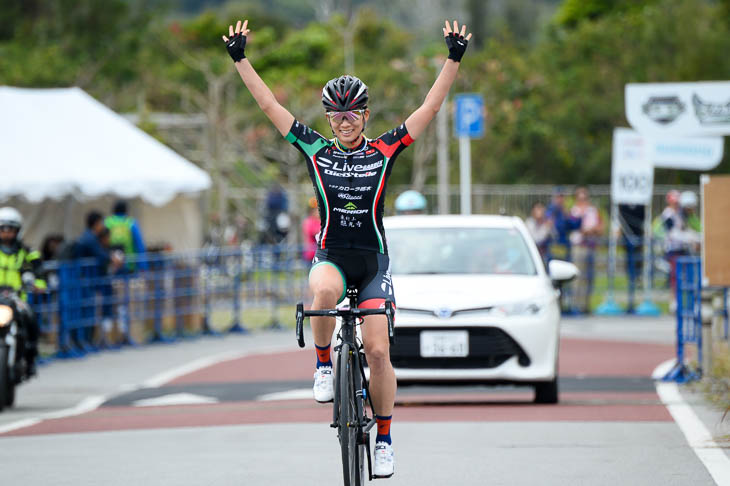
349 173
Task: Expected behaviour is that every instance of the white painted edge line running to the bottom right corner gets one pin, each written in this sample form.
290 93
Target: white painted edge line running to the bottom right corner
697 435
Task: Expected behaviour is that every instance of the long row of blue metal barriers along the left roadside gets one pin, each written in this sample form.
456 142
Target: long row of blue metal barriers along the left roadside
177 295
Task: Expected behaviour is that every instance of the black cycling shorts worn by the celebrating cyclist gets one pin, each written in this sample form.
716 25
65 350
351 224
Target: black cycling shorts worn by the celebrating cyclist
369 271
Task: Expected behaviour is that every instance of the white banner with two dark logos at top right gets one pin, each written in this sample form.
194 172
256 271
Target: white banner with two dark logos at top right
679 109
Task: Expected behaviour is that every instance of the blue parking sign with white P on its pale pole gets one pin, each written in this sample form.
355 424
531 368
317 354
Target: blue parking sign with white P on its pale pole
468 124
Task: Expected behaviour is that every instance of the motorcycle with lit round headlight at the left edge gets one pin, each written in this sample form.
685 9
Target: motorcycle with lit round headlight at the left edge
13 338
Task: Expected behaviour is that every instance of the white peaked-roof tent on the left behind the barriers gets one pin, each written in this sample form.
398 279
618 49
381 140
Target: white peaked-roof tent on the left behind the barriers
63 153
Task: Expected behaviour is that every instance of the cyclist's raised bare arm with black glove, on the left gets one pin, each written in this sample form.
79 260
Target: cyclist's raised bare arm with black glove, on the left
235 43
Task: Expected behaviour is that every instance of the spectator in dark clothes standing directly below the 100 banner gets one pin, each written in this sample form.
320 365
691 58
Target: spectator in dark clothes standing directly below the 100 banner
631 222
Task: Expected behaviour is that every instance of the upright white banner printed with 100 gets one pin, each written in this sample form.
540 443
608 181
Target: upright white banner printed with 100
632 172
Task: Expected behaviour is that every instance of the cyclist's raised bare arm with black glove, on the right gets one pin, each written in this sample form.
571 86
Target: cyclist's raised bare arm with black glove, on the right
456 42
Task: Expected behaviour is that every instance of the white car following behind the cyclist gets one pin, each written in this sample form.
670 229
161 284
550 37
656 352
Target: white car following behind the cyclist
474 303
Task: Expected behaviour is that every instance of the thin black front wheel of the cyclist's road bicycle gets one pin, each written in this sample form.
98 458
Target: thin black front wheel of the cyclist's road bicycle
348 424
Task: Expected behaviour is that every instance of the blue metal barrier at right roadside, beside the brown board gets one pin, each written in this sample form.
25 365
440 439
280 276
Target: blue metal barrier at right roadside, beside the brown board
689 317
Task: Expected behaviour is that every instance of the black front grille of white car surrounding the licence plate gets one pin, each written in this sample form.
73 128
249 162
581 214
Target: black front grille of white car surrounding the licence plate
489 347
